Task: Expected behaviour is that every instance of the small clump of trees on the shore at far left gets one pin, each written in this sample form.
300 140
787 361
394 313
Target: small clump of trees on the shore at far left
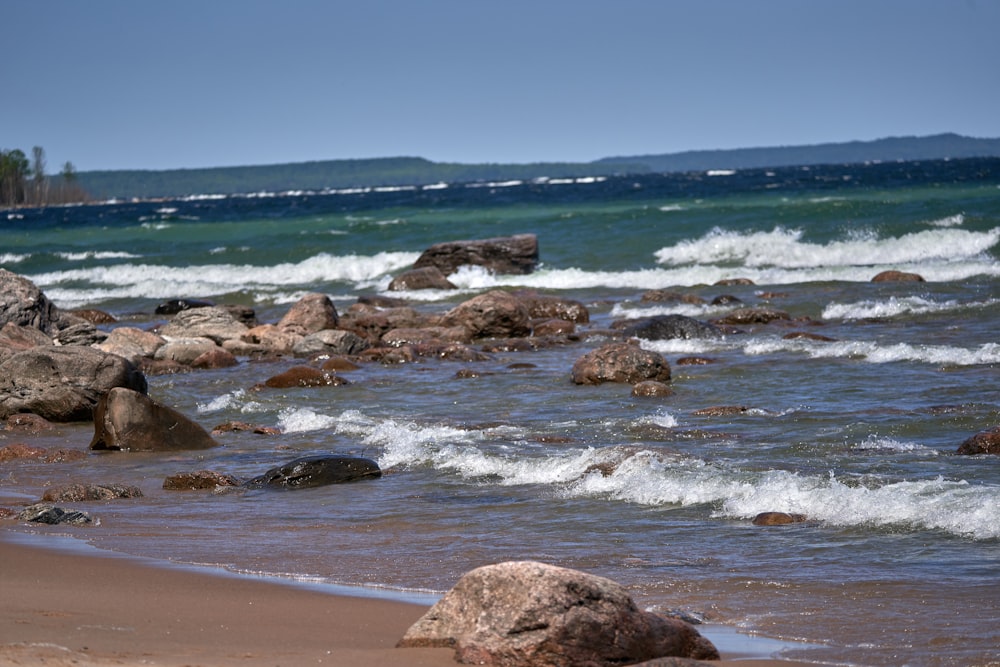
23 182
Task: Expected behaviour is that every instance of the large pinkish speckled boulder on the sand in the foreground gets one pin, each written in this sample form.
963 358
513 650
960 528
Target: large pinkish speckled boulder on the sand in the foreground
522 614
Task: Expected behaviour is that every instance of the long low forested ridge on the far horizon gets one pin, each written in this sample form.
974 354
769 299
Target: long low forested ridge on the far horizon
416 171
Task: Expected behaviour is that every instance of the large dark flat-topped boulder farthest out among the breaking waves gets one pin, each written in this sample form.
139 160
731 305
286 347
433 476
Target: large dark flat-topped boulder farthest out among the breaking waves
510 254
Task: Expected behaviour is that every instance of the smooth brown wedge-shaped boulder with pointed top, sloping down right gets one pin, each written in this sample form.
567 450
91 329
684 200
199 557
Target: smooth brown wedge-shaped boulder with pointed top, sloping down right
126 420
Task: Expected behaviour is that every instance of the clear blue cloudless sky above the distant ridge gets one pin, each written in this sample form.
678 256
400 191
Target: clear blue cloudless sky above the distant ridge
137 84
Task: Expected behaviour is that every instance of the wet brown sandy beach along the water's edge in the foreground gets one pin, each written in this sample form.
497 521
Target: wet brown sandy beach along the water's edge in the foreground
67 605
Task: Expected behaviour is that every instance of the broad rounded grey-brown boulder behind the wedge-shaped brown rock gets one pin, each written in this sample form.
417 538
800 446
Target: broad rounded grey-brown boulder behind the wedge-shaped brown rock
63 384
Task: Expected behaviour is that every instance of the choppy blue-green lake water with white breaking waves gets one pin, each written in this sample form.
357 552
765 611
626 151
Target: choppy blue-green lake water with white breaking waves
899 561
